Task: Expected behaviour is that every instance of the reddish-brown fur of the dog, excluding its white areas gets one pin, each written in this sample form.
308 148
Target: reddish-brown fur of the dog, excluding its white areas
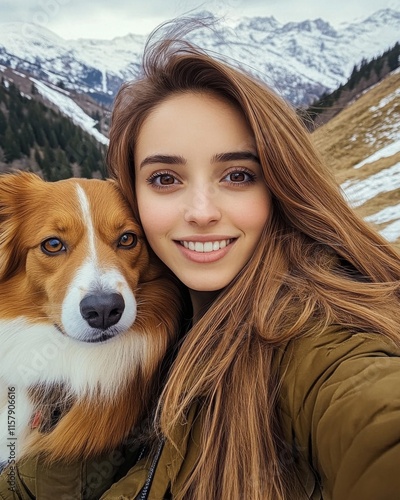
33 286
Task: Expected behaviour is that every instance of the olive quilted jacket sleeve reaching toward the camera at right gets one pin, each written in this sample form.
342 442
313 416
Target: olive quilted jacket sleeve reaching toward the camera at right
341 407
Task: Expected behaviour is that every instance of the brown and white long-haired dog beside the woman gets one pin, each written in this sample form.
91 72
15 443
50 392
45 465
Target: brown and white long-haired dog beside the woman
86 317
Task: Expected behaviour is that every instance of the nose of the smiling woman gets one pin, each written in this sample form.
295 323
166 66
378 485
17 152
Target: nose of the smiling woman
202 207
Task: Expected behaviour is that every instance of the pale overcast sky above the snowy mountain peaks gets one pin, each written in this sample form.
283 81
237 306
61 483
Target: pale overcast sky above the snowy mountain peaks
107 19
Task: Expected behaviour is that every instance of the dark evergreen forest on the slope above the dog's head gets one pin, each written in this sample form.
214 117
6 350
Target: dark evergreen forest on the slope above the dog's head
35 137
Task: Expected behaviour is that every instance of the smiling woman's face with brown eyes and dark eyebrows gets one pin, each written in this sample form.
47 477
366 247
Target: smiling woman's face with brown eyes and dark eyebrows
201 197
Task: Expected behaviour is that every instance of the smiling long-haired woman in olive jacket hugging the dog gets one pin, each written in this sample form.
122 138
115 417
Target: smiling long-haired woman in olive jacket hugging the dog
287 383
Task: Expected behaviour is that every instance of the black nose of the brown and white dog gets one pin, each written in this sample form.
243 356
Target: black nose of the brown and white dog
102 310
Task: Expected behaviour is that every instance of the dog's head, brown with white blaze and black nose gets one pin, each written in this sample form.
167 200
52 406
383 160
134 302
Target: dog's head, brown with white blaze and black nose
71 254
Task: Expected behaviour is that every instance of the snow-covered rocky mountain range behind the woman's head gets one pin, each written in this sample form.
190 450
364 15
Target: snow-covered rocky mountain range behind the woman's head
301 60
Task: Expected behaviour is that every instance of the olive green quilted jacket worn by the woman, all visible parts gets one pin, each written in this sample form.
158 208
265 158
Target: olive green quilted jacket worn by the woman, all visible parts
340 414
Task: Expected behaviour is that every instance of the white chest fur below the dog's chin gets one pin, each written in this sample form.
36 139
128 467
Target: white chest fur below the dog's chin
38 353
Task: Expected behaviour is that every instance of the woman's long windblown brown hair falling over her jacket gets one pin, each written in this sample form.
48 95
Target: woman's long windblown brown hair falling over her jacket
317 263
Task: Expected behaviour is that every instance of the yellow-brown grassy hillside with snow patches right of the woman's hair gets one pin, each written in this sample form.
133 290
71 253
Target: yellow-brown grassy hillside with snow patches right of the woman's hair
362 147
